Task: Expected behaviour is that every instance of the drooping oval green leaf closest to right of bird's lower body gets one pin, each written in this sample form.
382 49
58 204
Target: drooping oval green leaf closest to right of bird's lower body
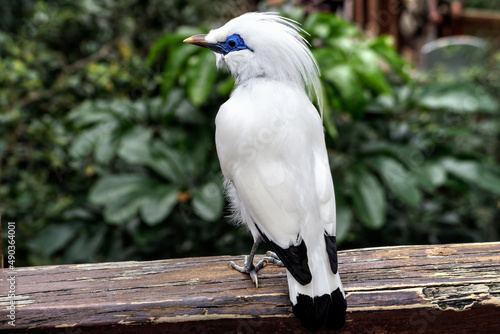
368 198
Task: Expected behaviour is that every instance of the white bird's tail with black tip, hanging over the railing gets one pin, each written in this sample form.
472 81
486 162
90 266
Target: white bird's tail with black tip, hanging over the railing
322 301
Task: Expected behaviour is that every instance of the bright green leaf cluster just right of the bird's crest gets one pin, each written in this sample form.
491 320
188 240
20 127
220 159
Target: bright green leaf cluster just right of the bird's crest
350 65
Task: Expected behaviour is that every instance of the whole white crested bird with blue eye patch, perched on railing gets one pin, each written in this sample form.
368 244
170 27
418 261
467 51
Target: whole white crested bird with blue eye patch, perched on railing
271 147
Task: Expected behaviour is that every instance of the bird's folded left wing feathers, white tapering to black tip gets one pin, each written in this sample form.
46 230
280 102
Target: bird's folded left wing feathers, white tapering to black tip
269 191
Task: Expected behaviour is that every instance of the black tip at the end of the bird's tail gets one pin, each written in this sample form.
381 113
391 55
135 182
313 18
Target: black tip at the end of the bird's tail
325 310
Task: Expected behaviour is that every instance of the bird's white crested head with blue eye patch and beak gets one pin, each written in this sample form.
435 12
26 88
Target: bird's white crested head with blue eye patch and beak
263 45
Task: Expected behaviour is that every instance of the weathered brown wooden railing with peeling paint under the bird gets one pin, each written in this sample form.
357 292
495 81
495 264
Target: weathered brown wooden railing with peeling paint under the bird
409 289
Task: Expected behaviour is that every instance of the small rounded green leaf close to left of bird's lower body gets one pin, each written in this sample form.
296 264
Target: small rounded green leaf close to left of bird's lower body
208 202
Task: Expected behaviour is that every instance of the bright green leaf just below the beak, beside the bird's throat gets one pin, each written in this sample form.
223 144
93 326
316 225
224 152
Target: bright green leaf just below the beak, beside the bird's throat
201 78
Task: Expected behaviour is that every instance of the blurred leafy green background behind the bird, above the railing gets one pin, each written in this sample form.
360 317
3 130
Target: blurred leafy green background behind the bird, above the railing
107 124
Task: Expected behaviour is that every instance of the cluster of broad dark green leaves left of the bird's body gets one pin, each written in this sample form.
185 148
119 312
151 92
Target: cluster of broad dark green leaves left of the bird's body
163 164
